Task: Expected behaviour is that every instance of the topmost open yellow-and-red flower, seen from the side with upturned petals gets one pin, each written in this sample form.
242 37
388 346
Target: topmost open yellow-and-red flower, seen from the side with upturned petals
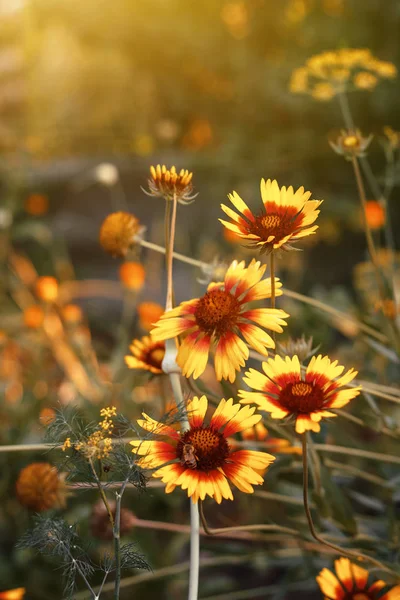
286 216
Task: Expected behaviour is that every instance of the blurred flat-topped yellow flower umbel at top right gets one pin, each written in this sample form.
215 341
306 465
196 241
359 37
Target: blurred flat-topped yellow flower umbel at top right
327 74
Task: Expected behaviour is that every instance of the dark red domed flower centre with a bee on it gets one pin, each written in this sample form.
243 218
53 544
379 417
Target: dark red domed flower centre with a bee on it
203 449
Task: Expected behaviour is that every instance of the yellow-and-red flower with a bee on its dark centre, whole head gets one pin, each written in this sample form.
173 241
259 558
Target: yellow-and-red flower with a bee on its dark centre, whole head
200 459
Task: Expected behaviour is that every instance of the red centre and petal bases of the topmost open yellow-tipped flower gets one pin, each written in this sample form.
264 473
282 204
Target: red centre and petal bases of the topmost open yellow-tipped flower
278 224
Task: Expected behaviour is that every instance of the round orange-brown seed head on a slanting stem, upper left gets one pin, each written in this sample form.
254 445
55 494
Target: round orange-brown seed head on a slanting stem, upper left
117 233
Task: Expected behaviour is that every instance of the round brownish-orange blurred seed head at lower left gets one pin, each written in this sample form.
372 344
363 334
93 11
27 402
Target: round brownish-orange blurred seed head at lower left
40 487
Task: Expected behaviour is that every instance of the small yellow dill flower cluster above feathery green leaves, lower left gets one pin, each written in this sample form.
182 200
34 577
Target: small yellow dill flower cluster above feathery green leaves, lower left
99 443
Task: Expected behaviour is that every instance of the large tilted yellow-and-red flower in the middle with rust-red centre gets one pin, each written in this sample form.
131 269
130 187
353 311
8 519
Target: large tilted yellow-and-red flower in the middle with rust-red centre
217 319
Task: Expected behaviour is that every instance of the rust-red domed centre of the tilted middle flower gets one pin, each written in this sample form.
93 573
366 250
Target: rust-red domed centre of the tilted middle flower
217 312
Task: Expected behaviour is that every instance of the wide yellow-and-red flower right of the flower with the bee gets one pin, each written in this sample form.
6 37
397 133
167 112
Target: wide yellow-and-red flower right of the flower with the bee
283 390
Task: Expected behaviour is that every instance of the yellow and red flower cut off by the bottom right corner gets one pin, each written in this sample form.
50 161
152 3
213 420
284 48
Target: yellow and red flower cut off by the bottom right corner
350 582
